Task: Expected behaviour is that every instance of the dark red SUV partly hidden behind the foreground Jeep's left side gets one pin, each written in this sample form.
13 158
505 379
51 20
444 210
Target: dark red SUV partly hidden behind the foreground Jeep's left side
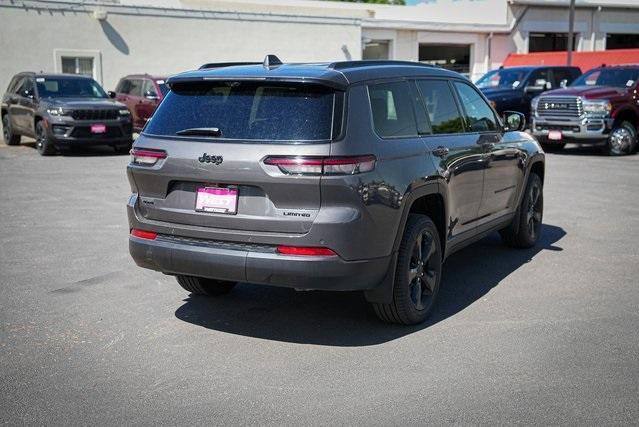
142 94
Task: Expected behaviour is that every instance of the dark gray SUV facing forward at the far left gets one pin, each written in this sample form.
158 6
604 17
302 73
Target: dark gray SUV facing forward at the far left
62 111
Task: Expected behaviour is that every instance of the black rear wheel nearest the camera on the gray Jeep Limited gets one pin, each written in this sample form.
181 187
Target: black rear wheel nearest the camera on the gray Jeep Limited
417 275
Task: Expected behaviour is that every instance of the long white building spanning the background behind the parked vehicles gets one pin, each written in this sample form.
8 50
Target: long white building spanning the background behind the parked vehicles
112 38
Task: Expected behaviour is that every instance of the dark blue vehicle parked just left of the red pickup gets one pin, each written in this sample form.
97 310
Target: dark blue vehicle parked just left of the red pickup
514 88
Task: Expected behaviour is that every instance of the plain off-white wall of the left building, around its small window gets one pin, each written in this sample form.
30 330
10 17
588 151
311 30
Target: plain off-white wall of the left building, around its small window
138 43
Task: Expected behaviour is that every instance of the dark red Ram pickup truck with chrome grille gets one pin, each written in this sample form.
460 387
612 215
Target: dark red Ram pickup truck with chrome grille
600 107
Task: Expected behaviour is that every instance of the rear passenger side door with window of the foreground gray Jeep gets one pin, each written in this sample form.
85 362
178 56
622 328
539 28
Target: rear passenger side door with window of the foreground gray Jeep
460 156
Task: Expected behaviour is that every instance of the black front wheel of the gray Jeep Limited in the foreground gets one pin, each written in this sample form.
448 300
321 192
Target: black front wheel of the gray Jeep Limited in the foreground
525 229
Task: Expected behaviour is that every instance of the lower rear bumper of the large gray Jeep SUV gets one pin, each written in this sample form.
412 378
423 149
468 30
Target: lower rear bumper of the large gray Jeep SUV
259 264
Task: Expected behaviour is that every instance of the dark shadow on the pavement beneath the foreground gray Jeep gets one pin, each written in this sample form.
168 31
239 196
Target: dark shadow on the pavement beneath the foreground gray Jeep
344 318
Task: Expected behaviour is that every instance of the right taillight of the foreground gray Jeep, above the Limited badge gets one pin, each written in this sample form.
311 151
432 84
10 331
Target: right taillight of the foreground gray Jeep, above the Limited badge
301 165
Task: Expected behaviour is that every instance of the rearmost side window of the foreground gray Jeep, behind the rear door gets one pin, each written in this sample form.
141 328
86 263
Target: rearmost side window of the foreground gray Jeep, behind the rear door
392 110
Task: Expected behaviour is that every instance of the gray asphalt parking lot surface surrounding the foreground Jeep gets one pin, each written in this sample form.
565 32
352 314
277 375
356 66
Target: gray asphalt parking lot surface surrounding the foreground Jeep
542 336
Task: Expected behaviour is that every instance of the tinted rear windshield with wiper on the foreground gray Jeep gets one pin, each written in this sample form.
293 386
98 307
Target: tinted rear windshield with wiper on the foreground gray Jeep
247 111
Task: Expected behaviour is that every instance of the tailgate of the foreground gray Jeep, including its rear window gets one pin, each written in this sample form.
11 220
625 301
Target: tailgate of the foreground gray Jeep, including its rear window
255 120
